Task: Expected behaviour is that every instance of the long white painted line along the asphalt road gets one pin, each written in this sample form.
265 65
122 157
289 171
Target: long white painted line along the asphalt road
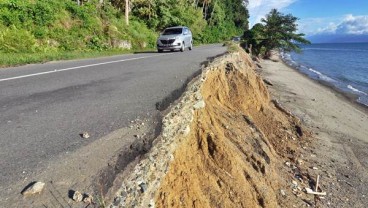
77 67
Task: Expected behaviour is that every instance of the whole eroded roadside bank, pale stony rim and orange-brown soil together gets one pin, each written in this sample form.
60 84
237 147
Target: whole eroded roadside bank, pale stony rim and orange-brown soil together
223 145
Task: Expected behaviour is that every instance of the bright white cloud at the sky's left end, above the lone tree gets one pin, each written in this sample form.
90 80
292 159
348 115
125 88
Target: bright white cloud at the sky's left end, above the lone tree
259 8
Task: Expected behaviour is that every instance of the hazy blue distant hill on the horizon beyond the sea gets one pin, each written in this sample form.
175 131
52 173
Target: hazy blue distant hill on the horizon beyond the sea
337 38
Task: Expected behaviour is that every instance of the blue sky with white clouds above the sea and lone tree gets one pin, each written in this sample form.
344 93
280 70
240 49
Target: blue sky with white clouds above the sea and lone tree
344 20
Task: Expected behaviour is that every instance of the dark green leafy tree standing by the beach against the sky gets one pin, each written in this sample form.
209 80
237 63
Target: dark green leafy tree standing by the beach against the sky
278 31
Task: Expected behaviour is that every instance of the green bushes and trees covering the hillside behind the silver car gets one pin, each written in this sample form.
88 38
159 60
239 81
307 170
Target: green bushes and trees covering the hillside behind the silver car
38 30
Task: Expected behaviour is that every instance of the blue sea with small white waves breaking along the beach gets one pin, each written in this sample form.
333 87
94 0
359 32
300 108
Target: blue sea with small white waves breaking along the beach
344 66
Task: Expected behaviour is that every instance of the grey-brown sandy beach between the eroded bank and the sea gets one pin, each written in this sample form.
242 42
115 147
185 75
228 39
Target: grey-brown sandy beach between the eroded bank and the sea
338 151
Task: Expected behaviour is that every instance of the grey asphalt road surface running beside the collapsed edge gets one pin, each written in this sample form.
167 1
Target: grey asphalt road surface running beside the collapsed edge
44 107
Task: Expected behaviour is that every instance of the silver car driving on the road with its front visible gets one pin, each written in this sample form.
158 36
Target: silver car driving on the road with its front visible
175 38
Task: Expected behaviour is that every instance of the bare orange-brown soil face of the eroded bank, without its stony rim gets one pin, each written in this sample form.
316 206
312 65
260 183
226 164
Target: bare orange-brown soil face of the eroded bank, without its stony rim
228 160
